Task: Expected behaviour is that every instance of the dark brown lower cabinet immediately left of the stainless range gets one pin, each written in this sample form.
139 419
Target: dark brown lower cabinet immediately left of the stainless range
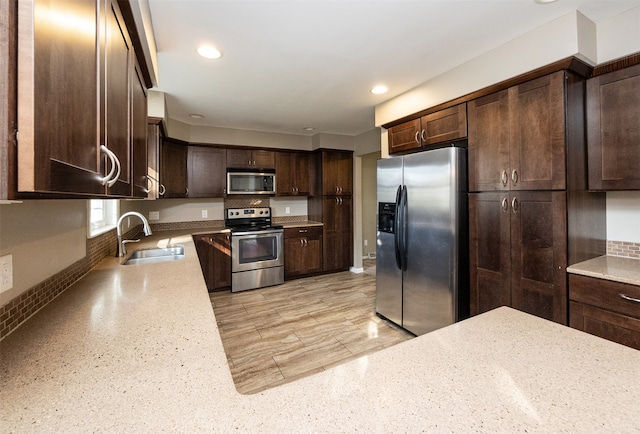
214 253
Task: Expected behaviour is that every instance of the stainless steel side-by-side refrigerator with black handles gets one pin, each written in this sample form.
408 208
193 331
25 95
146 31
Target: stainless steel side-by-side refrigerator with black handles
422 249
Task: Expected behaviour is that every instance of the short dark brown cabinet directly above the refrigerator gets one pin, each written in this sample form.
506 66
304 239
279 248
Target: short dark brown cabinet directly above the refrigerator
439 127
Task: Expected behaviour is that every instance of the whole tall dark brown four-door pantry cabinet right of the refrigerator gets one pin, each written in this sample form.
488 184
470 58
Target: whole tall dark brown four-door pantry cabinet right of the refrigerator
530 215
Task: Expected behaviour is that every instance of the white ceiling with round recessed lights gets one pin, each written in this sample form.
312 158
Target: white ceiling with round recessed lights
292 64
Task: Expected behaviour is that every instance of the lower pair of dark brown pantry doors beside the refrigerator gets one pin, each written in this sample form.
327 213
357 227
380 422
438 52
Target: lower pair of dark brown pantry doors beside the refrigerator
518 252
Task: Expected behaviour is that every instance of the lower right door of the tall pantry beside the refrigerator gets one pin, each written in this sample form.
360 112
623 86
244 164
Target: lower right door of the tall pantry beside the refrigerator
539 254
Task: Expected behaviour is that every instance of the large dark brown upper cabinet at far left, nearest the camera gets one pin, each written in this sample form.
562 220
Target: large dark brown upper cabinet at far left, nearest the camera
75 129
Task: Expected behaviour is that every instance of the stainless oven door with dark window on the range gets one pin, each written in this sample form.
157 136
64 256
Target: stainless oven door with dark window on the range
255 250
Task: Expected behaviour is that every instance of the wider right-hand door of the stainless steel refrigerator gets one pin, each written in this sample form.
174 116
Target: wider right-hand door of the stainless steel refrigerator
436 193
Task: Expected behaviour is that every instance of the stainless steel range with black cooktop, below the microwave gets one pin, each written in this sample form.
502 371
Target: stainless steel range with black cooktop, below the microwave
257 258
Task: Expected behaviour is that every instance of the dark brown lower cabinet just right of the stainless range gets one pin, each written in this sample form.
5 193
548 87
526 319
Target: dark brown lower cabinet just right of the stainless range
302 251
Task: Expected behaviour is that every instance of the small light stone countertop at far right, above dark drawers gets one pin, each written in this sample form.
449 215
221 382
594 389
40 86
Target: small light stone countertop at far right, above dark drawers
616 268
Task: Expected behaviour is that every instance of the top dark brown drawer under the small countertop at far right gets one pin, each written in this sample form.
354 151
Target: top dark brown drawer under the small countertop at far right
605 294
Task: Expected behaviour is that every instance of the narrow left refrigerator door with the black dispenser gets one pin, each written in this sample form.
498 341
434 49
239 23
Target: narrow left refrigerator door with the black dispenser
388 274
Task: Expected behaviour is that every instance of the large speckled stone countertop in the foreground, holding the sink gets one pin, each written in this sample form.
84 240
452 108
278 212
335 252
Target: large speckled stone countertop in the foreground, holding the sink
136 349
